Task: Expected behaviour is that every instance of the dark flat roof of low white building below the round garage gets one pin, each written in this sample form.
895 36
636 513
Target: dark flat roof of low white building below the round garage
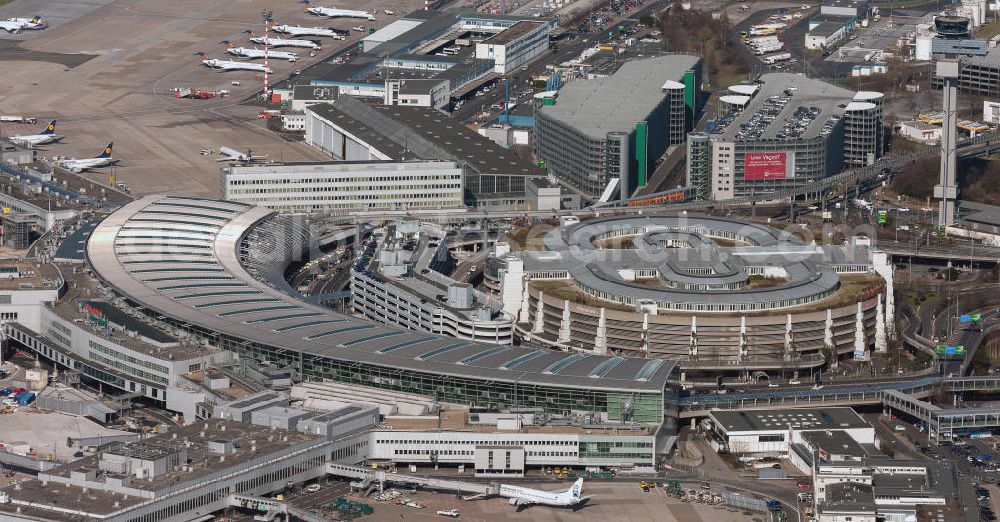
733 421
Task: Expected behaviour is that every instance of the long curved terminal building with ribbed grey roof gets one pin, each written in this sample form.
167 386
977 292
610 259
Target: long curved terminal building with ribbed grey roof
212 269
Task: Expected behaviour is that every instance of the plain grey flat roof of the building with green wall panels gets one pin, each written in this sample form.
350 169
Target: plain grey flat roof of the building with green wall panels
617 102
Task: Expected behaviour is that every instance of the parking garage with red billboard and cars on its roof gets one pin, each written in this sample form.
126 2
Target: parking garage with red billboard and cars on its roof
783 132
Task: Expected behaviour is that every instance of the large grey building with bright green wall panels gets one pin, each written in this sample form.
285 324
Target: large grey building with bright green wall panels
618 126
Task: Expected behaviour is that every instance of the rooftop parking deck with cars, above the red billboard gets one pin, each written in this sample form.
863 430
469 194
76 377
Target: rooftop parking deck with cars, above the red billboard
786 107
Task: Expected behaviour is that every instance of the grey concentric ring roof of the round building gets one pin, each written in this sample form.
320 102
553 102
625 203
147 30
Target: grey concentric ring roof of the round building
691 268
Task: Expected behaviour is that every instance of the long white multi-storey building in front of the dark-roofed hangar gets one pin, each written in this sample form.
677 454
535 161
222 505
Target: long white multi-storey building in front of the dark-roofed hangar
346 186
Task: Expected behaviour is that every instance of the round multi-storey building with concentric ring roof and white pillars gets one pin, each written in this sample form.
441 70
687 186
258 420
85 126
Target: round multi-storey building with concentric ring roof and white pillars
666 287
